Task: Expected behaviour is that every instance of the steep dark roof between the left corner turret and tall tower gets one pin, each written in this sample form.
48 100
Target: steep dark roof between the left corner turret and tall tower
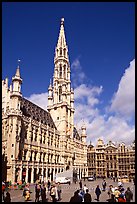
30 109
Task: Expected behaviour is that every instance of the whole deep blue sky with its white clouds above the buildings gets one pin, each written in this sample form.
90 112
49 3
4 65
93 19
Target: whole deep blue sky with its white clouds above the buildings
101 42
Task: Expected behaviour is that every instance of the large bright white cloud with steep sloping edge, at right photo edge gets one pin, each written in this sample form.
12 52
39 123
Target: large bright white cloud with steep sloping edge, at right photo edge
123 101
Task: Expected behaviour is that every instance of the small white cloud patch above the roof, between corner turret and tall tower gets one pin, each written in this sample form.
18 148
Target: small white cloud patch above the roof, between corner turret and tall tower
39 99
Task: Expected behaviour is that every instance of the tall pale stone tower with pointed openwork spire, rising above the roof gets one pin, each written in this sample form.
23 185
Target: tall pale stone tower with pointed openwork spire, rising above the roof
61 95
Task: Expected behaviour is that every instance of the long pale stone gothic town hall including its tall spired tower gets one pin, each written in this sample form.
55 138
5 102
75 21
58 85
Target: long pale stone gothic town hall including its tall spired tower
37 144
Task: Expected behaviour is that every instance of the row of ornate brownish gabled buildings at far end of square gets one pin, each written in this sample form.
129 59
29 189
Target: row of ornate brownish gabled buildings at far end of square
110 160
